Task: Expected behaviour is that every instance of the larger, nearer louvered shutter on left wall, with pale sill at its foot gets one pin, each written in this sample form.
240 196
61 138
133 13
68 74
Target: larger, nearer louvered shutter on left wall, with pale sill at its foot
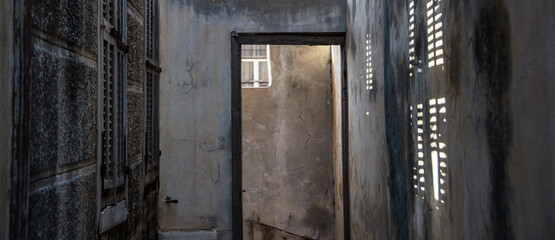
112 120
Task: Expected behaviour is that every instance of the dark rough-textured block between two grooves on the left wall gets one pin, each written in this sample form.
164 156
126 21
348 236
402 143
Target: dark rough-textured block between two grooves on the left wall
63 115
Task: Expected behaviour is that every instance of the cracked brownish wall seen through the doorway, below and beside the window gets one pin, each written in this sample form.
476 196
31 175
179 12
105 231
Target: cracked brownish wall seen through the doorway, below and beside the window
287 147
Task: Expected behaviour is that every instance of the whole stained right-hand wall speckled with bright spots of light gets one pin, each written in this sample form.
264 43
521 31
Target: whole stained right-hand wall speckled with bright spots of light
492 140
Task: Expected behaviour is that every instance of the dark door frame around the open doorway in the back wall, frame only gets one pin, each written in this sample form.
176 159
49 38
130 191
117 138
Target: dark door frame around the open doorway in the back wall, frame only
236 128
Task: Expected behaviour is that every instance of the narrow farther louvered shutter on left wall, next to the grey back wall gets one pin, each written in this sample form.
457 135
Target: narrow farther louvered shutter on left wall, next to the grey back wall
152 152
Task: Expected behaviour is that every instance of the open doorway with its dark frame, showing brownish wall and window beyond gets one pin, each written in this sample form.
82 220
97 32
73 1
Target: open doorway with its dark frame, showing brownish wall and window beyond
289 137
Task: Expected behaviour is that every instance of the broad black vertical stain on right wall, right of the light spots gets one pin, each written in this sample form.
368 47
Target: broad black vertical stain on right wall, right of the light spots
492 49
